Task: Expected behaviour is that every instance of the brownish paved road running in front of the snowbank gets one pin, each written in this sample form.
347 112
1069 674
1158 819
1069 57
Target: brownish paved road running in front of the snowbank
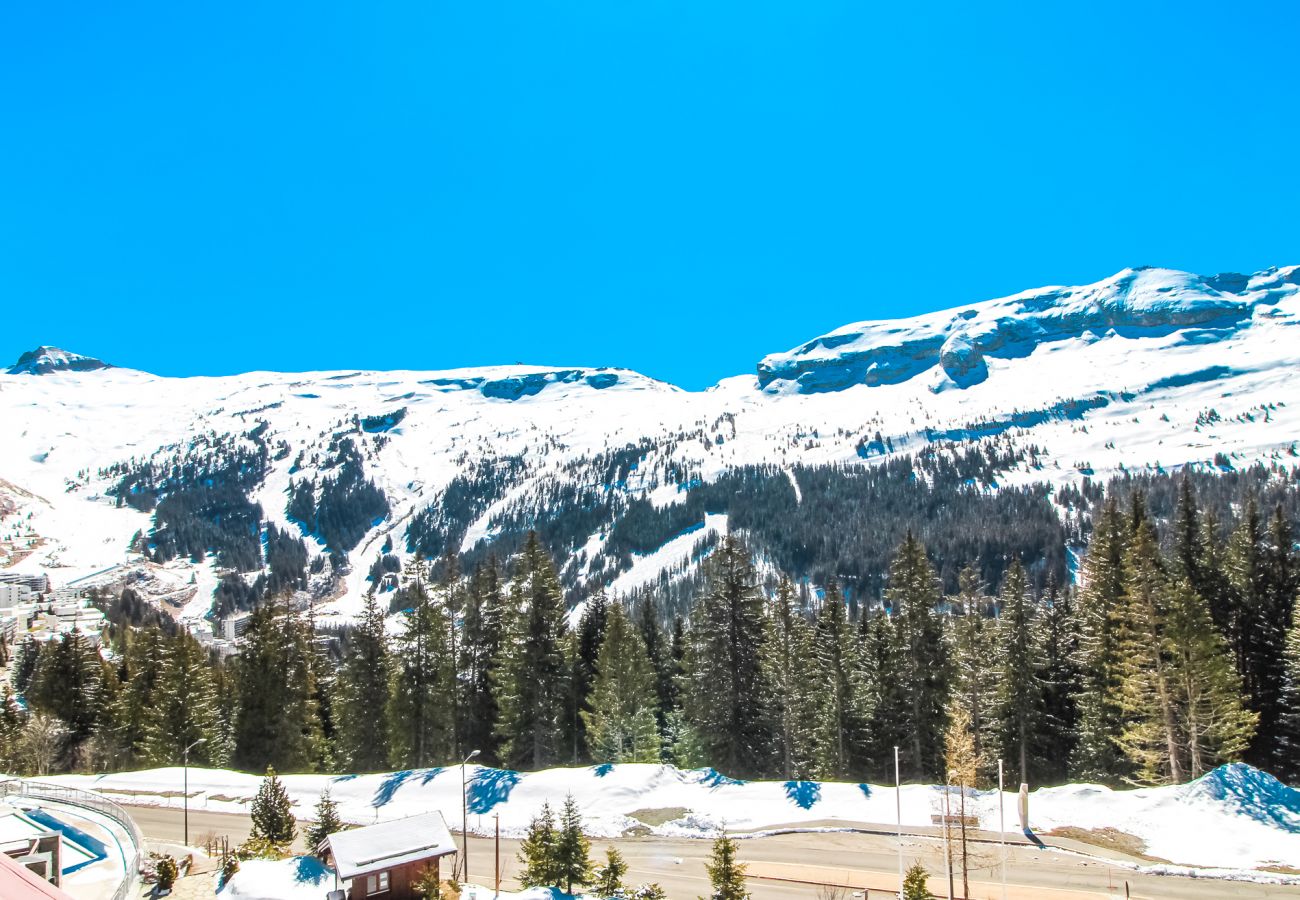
861 860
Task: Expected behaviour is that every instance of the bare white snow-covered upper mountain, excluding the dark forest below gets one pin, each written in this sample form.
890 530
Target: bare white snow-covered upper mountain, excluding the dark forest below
1147 369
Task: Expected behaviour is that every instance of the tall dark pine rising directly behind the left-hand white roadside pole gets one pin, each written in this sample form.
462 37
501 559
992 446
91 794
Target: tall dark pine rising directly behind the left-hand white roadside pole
921 656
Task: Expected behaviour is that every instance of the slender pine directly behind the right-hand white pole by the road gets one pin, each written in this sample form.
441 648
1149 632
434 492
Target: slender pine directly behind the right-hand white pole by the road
1020 686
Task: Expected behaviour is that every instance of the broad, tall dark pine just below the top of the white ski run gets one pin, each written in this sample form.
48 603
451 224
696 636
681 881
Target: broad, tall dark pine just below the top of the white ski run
725 689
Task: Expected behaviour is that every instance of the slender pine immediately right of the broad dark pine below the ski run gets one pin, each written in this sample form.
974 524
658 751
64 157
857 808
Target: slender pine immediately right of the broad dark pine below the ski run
791 669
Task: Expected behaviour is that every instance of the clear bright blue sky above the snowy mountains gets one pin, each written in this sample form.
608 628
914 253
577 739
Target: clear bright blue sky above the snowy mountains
678 188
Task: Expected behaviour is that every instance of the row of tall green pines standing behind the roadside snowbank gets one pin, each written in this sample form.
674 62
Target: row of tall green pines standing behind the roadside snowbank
1172 657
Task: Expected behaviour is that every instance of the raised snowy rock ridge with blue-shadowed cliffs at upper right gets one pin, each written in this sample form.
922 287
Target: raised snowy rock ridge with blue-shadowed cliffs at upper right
1143 302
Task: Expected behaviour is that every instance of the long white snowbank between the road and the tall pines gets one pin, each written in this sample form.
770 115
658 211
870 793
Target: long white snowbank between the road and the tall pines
1236 817
